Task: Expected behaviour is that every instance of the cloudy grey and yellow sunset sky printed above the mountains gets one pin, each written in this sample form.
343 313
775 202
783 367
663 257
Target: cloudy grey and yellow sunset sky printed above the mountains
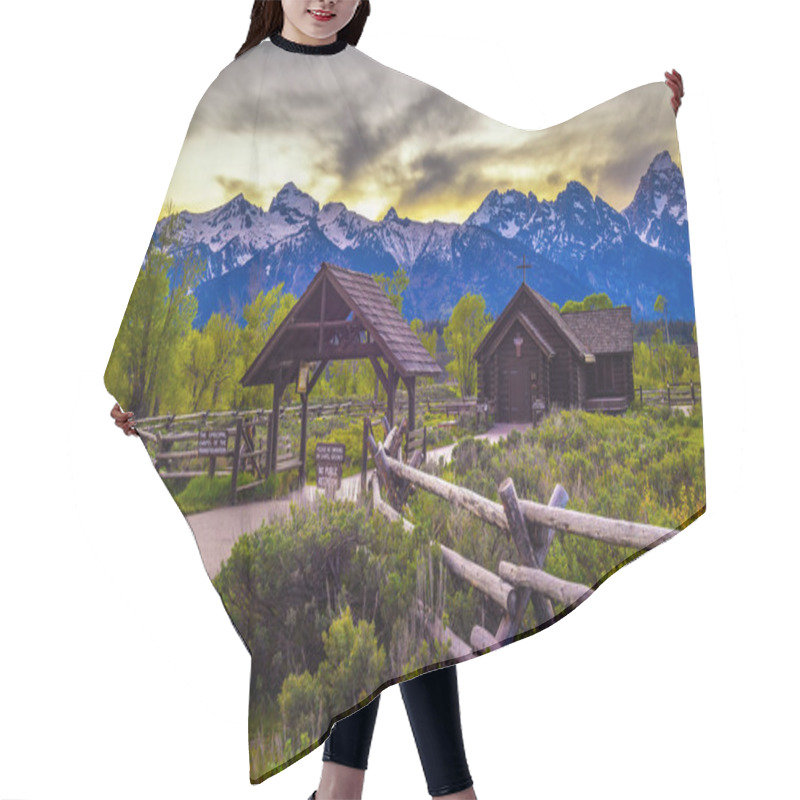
345 128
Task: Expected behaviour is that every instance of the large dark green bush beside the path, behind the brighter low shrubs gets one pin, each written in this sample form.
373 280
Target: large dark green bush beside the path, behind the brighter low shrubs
284 584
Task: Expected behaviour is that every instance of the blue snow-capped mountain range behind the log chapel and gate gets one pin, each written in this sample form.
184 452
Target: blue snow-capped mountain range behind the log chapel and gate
576 244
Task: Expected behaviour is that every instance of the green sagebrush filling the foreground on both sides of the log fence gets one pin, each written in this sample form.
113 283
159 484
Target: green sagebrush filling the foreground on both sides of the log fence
325 598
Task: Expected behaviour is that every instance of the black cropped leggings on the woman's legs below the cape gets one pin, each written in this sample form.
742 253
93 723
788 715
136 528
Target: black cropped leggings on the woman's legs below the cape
432 706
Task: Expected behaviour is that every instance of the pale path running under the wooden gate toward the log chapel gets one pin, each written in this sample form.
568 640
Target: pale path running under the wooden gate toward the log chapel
218 529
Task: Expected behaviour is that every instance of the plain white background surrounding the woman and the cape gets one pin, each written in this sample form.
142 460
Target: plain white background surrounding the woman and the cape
120 673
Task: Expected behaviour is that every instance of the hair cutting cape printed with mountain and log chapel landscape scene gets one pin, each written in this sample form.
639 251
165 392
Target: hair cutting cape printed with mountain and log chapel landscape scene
420 381
